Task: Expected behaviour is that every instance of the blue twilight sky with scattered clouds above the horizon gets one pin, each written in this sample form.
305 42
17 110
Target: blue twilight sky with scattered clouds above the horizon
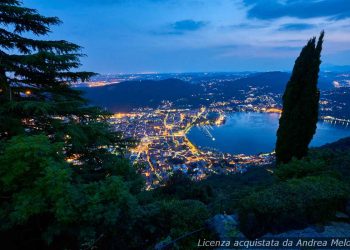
199 35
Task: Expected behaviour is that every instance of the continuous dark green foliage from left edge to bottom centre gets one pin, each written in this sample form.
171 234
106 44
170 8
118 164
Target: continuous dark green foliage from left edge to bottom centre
44 199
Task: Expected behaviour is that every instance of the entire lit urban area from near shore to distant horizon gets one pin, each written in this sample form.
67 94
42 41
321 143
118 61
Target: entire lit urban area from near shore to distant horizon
161 132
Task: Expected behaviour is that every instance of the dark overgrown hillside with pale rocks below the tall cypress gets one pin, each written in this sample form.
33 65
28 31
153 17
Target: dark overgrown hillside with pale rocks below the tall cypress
326 170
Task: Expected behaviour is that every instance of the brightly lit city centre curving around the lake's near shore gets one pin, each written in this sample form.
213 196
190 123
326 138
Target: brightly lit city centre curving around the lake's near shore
164 148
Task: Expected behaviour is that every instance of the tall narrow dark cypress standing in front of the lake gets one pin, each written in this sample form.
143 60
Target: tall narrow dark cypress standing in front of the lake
299 118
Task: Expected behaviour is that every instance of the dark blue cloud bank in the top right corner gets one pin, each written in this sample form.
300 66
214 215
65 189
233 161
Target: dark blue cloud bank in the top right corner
273 9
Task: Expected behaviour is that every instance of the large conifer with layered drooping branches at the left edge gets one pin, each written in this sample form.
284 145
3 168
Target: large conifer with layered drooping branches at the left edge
36 96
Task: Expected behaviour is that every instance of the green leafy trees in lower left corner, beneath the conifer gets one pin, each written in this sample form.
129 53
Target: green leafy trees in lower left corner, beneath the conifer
39 193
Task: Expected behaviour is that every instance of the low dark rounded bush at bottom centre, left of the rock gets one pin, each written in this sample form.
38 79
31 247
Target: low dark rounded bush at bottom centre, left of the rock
170 219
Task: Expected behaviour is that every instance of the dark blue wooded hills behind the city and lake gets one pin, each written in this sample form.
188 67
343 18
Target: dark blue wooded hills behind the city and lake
127 95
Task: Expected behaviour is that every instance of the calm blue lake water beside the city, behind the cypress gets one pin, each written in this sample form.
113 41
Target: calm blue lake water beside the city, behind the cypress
253 133
